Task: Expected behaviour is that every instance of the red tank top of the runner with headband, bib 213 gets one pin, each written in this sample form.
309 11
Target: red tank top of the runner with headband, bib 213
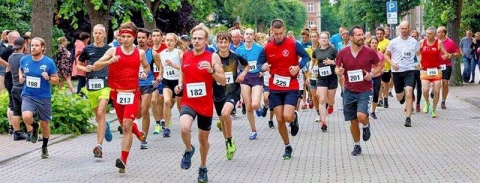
123 74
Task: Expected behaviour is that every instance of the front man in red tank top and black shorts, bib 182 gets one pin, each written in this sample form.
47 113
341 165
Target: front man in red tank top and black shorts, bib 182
199 70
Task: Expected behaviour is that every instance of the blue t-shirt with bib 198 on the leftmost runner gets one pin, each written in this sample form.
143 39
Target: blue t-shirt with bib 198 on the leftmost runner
35 85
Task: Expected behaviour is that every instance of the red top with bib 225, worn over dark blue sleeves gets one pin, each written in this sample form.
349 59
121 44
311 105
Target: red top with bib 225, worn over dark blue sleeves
281 57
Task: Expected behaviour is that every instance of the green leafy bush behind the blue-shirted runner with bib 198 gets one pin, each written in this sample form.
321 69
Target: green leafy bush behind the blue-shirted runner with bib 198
70 113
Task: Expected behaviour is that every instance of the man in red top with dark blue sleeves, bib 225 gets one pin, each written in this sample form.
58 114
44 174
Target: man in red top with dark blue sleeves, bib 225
280 58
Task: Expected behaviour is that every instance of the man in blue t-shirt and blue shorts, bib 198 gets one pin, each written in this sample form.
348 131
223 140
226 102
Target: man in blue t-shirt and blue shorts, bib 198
39 73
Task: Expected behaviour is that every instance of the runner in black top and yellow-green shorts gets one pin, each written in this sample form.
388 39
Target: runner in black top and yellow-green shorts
97 89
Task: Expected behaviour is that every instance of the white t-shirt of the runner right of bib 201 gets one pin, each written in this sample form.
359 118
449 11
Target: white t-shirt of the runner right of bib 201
403 53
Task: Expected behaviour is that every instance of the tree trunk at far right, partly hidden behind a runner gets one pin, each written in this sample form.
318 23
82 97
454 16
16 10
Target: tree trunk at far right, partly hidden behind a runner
454 33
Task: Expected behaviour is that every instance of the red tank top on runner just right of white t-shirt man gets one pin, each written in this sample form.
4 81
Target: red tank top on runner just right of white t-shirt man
430 58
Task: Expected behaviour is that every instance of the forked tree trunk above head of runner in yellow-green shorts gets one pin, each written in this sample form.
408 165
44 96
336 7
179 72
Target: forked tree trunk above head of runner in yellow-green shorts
98 16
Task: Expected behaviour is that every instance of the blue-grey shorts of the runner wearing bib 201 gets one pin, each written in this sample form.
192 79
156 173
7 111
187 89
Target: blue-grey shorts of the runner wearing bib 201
354 102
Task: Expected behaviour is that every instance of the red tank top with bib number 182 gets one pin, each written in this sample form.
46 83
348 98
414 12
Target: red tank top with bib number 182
197 83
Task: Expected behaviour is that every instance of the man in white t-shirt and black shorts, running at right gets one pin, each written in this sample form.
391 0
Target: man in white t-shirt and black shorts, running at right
401 53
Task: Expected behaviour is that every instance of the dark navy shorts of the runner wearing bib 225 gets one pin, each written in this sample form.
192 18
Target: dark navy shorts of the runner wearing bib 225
277 98
